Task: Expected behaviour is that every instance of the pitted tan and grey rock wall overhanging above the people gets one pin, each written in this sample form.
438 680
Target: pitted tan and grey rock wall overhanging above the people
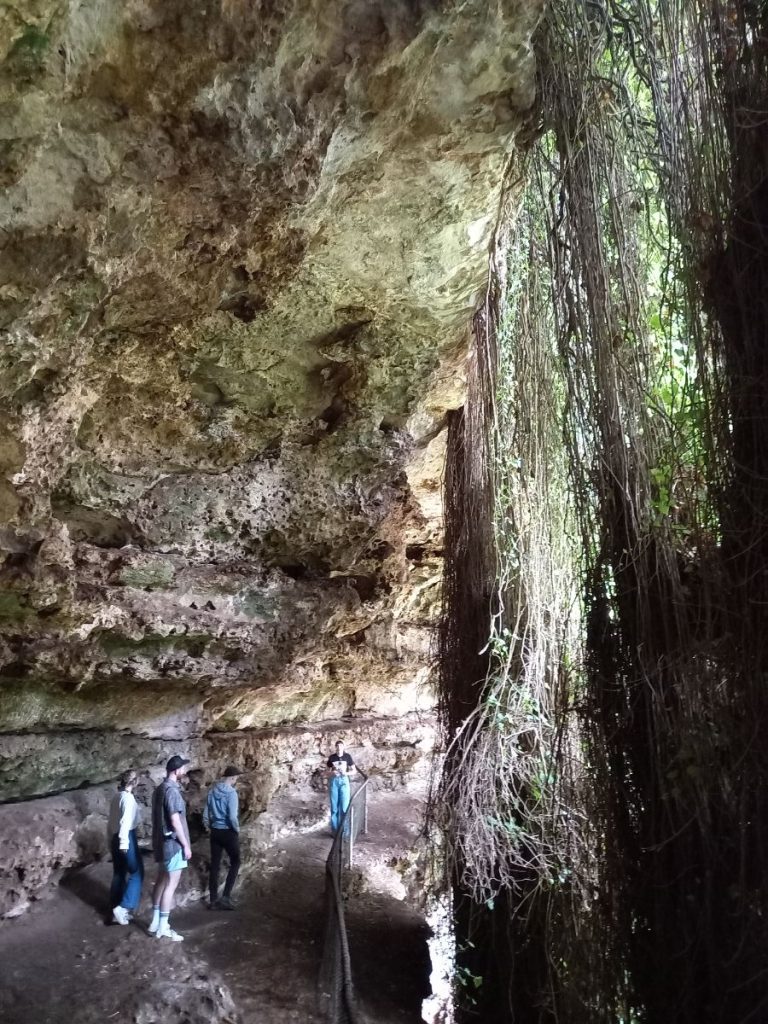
242 244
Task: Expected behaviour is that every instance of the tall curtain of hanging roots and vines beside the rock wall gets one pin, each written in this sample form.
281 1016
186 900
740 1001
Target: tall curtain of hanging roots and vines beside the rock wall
625 871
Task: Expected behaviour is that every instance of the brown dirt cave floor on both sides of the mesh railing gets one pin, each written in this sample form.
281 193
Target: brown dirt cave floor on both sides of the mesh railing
62 965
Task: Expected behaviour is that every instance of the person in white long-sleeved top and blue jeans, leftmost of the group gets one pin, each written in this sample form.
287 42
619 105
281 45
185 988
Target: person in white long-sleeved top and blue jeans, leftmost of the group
129 869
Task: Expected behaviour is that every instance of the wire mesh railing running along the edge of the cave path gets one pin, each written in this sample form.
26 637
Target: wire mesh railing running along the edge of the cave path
336 990
